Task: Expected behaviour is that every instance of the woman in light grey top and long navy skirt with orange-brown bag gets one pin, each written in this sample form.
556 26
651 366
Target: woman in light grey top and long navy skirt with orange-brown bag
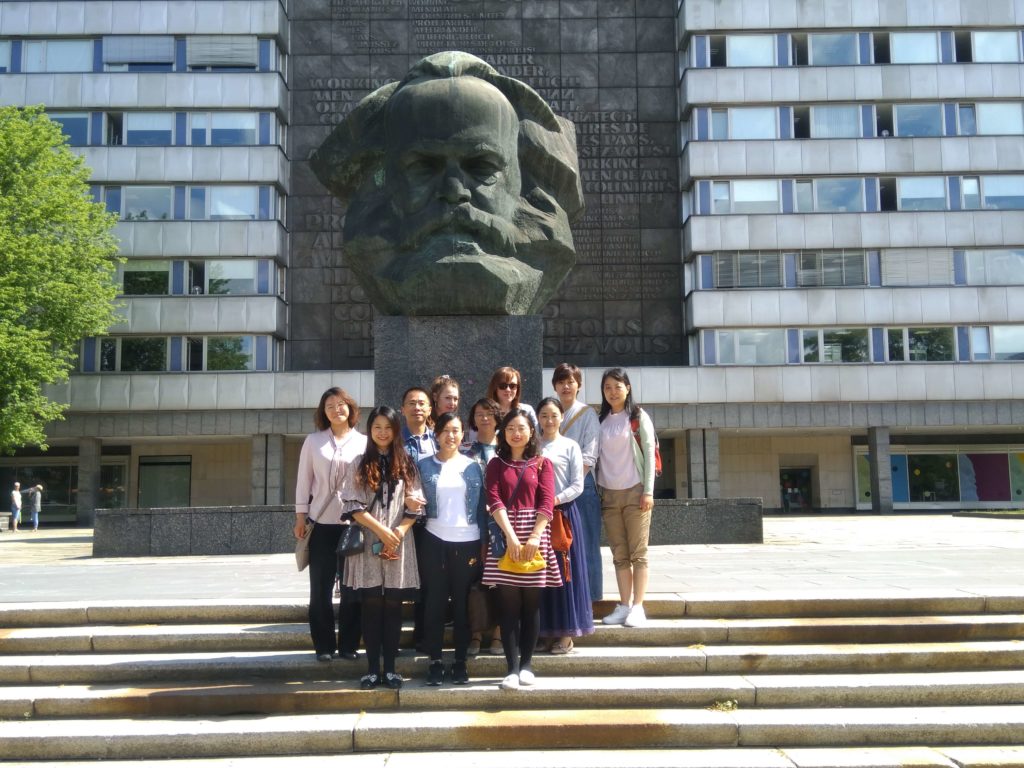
566 612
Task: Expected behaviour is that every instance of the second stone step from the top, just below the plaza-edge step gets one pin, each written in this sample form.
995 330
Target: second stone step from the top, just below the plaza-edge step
197 637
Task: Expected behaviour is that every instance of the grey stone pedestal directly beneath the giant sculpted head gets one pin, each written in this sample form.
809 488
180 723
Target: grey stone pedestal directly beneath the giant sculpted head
411 352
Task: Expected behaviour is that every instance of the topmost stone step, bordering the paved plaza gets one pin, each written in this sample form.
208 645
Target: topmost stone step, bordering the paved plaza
694 606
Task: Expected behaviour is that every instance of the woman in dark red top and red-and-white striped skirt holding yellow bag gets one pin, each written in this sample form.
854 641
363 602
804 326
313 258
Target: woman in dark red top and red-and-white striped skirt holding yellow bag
521 494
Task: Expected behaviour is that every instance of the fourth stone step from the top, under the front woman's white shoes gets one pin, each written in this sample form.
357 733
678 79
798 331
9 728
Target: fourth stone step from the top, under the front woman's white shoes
273 698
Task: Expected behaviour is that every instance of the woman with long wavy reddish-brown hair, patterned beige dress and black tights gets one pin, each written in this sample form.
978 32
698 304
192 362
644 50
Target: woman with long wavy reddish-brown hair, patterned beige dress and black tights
386 573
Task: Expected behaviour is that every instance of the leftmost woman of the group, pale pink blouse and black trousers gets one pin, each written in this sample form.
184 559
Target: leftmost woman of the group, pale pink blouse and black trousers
324 466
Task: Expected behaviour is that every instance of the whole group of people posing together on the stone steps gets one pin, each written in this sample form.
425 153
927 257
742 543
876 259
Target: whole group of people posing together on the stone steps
506 502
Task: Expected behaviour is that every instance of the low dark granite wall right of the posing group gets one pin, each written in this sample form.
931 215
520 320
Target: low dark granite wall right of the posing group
707 522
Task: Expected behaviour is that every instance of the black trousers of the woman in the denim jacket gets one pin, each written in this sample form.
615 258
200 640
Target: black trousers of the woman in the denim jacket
450 570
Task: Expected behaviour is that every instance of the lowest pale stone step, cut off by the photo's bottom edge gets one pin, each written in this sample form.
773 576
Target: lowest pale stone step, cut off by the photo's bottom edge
872 757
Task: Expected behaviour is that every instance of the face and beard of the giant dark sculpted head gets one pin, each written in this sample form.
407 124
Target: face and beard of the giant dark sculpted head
444 231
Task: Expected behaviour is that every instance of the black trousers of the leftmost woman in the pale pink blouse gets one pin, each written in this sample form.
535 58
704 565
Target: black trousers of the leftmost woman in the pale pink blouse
324 567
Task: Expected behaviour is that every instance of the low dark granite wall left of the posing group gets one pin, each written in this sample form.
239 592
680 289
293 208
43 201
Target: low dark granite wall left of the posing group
194 531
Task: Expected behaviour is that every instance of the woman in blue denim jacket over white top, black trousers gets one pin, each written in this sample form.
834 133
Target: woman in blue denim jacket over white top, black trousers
451 548
